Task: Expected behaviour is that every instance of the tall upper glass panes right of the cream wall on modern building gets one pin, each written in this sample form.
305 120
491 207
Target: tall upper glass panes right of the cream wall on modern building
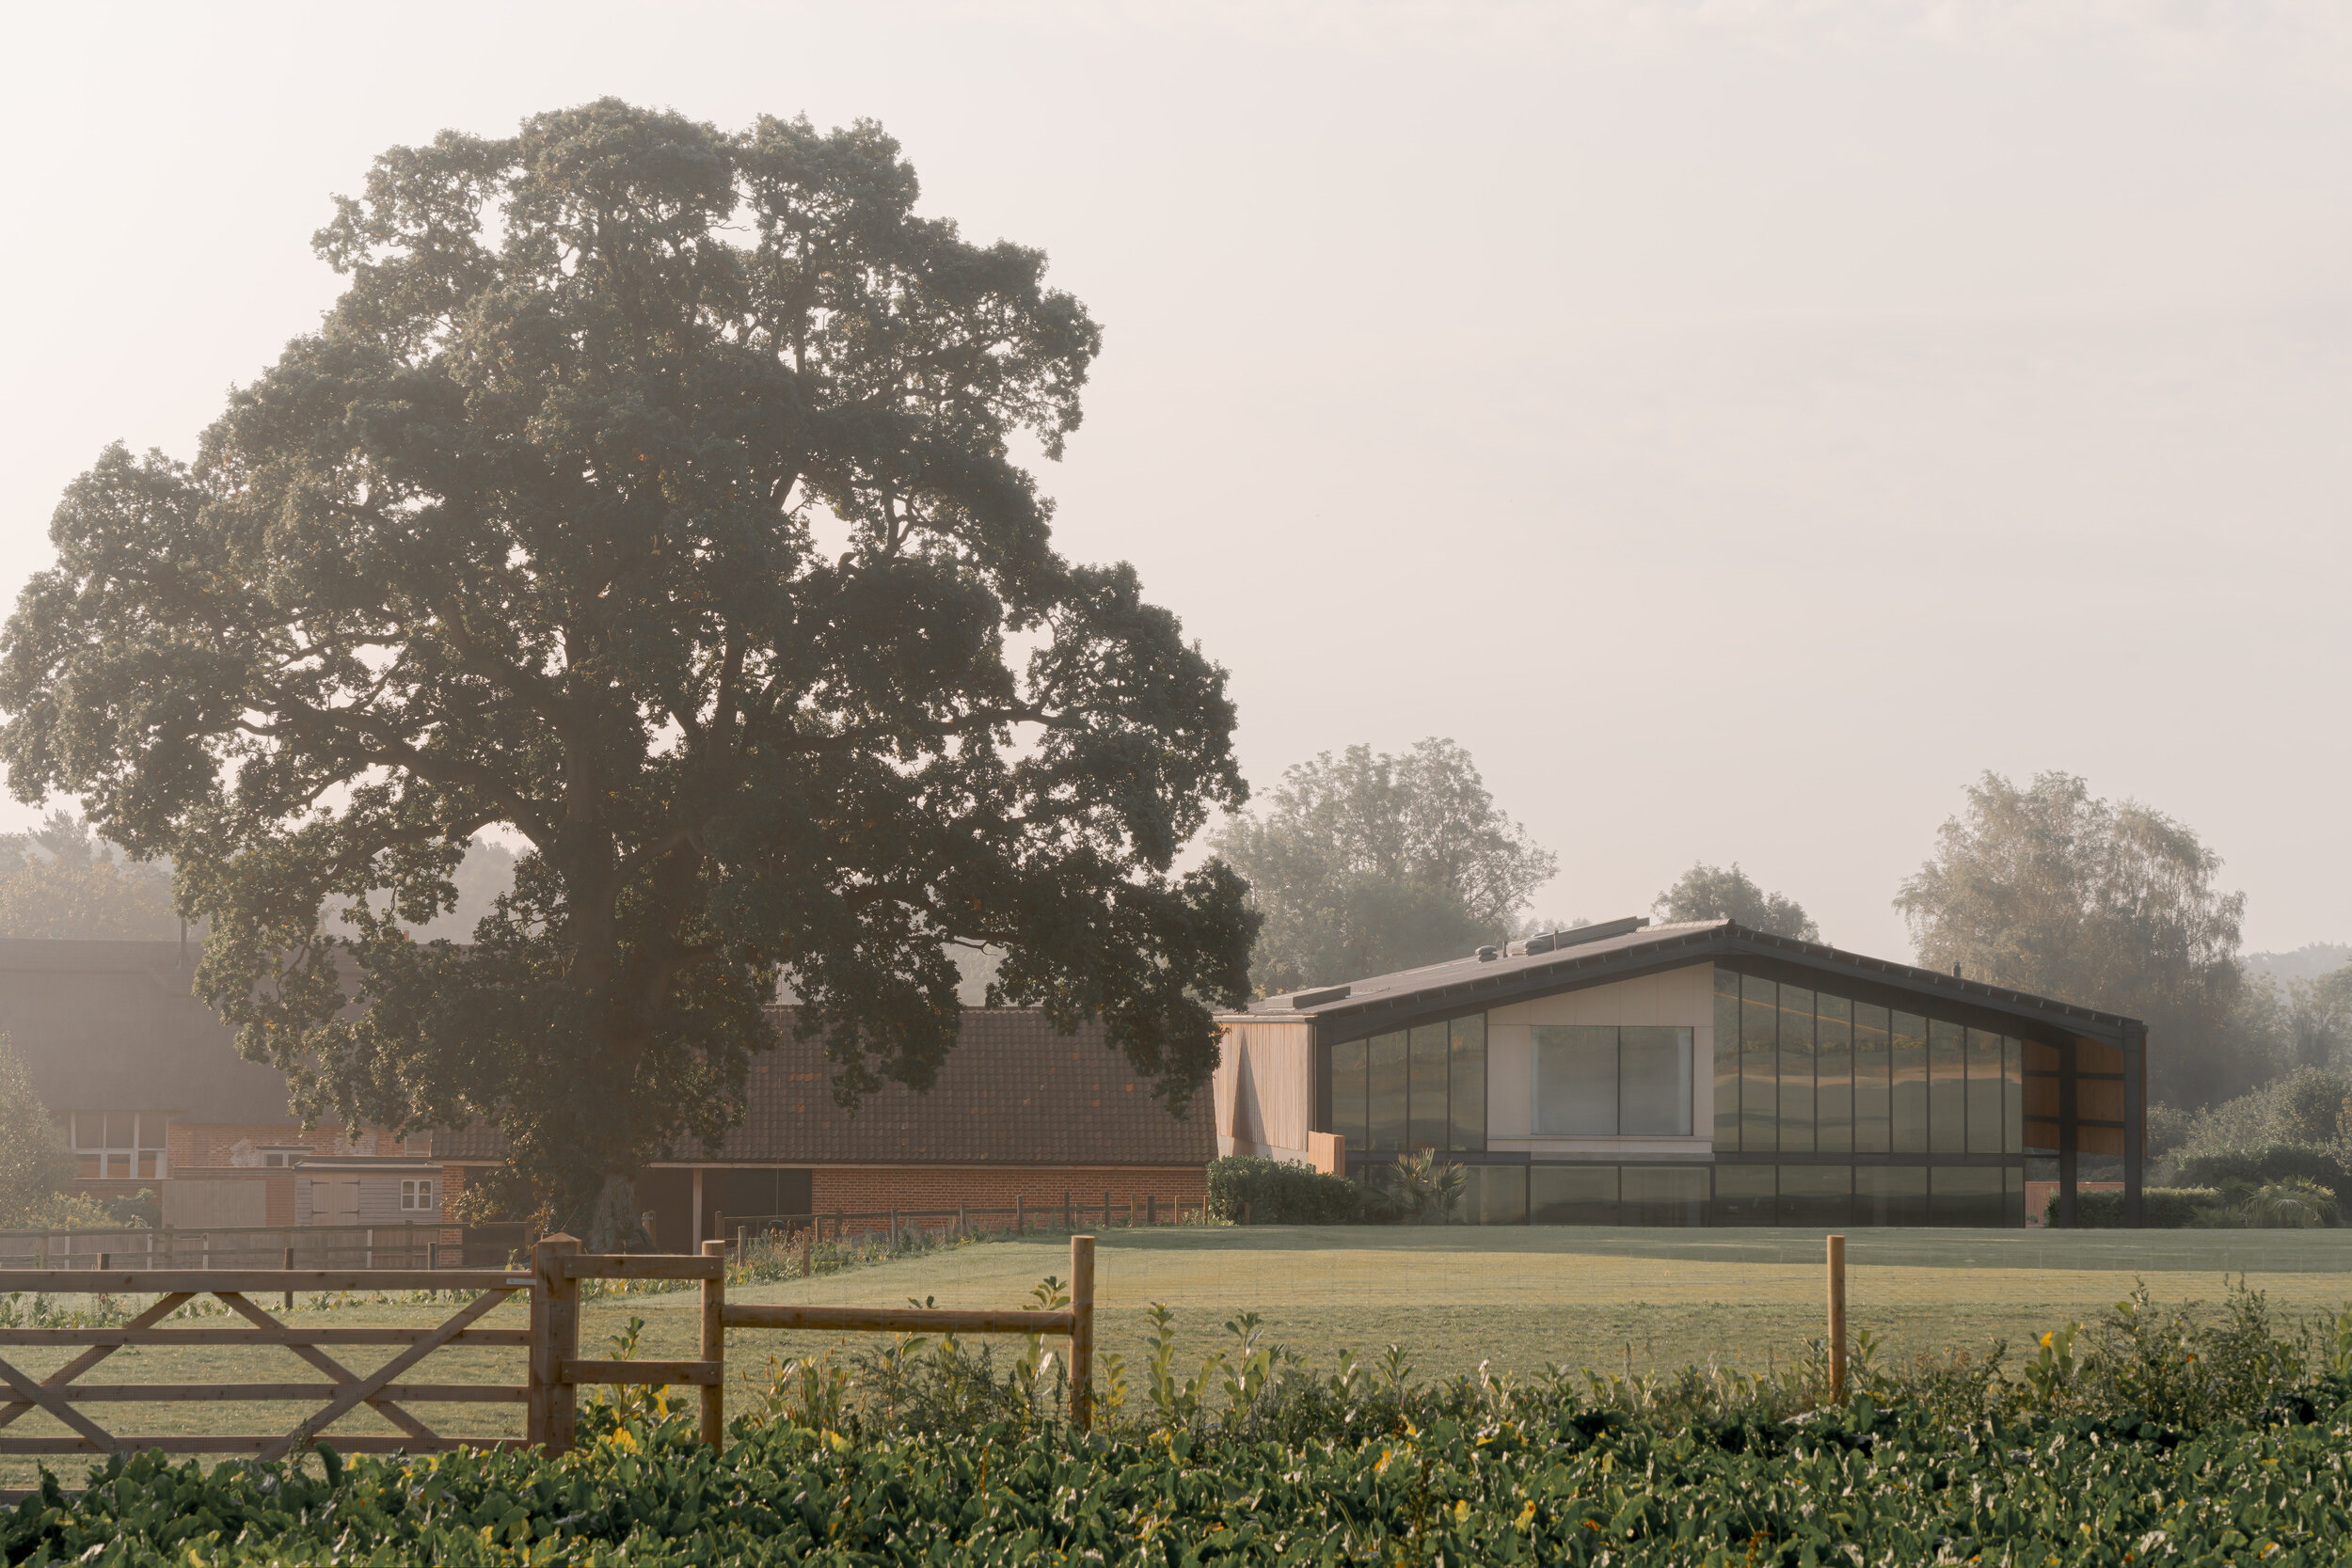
1810 1073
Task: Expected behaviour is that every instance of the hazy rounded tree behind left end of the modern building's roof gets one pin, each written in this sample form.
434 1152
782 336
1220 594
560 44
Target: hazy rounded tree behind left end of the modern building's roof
1365 864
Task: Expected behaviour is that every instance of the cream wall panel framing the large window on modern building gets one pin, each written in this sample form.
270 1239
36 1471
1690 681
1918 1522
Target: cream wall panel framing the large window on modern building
1678 998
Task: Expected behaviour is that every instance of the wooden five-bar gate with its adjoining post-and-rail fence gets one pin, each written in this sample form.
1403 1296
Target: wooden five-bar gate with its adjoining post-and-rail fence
554 1376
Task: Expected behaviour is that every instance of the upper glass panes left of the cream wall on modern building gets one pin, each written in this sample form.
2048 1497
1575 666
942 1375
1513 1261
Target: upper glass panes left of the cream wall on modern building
1412 1090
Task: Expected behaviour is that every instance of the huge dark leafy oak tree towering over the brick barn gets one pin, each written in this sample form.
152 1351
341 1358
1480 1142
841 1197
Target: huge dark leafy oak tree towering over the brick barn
648 492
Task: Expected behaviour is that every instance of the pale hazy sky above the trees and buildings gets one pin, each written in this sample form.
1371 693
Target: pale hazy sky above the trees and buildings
1737 424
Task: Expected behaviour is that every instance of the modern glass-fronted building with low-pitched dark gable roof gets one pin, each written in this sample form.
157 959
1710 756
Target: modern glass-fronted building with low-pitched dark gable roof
1692 1076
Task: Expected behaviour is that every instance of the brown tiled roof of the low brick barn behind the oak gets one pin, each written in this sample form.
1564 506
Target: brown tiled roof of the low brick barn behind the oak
1010 1094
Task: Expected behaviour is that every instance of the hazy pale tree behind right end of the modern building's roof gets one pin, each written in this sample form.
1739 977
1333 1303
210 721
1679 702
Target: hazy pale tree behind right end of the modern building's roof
2113 906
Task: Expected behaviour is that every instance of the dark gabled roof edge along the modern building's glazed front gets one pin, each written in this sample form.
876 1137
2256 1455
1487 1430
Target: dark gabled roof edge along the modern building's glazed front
1716 944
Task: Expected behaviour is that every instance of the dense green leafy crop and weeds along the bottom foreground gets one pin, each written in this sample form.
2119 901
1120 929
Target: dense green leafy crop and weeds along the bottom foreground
2151 1438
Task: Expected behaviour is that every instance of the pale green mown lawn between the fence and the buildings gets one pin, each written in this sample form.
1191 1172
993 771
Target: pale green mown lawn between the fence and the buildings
1452 1299
